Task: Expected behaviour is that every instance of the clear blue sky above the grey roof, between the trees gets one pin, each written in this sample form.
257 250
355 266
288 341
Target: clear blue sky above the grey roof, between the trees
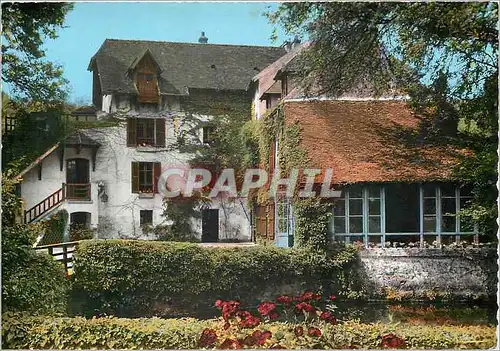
89 24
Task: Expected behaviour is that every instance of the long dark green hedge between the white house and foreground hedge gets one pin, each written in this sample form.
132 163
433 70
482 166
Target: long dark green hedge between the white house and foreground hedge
141 278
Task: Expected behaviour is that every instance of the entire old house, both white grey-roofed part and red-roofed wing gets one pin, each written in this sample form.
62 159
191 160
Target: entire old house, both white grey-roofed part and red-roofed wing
150 97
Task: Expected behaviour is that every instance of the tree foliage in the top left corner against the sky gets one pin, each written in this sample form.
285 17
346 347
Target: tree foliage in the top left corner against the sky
24 28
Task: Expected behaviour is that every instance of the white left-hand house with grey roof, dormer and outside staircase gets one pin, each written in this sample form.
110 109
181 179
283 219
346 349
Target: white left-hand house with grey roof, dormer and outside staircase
145 97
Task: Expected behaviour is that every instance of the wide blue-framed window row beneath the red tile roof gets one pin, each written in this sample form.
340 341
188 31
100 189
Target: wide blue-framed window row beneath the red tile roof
402 213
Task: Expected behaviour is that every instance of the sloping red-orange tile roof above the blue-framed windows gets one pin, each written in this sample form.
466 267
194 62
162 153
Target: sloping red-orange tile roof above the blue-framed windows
368 141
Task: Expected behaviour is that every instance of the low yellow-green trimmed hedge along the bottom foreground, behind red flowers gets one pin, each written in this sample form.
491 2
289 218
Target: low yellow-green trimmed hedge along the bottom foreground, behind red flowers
114 333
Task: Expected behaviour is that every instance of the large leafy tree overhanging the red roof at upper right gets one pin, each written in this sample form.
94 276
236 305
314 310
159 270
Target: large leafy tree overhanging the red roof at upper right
444 54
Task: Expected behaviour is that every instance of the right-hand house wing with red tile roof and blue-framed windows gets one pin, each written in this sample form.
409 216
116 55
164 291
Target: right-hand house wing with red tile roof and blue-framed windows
396 186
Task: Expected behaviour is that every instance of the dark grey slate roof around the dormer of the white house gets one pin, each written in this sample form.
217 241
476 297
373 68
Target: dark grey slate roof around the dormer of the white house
184 65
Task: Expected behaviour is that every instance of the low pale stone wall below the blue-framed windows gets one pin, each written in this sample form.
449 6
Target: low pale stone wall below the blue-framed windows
412 273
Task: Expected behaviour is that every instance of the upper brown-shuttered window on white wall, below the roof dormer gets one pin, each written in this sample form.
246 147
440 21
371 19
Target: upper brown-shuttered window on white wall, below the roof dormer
146 132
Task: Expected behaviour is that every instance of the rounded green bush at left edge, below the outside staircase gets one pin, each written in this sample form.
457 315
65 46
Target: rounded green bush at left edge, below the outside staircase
32 282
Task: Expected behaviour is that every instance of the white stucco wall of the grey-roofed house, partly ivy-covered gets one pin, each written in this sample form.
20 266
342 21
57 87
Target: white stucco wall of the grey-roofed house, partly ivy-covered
119 217
